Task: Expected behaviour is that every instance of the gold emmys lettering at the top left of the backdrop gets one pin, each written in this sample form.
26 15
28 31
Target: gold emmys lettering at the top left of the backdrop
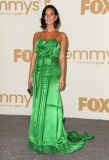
19 6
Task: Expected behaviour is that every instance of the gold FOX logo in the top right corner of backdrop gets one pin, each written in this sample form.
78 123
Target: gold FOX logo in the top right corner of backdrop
94 6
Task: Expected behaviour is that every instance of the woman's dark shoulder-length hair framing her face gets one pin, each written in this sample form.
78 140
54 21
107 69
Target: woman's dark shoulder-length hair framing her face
56 23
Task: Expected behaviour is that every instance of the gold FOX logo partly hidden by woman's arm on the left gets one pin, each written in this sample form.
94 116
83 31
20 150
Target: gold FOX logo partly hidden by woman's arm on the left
22 55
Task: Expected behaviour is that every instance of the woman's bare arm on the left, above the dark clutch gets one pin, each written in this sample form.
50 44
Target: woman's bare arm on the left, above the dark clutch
33 57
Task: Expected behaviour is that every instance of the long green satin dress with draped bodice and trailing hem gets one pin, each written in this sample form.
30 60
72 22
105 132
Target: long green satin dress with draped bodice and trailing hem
47 133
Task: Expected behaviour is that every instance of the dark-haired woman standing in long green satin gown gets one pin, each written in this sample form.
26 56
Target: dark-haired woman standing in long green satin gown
47 75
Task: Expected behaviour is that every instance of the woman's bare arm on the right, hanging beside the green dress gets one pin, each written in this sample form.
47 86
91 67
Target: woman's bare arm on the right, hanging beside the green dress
62 60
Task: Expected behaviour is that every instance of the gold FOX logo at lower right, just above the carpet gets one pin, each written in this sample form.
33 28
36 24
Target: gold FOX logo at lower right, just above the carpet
94 104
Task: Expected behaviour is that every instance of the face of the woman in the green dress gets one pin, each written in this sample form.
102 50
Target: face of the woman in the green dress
50 16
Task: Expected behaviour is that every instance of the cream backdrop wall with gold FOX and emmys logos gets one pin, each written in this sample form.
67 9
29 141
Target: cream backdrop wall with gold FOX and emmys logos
86 25
